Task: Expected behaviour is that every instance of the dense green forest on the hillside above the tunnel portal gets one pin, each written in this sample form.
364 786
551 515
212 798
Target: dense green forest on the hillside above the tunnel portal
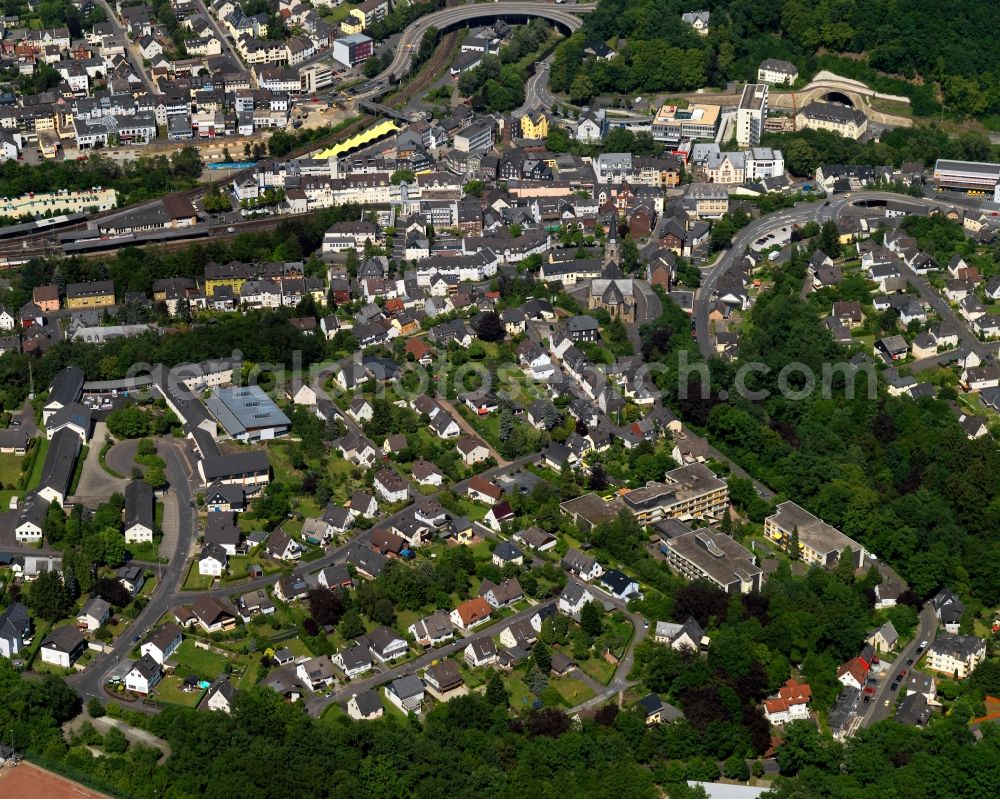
911 45
